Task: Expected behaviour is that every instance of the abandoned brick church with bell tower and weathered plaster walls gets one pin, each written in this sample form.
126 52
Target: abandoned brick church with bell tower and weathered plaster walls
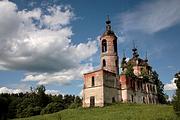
106 85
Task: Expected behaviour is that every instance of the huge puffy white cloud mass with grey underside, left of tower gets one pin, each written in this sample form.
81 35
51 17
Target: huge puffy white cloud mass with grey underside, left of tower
40 43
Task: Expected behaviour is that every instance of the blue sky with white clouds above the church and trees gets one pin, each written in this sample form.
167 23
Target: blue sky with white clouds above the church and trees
54 42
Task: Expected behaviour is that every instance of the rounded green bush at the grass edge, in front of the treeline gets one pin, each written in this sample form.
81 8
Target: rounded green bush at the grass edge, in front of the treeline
52 107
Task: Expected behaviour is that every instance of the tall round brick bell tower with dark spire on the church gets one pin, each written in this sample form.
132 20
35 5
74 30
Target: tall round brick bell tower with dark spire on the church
109 52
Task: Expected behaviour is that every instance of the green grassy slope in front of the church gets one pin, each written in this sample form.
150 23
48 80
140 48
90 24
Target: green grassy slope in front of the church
113 112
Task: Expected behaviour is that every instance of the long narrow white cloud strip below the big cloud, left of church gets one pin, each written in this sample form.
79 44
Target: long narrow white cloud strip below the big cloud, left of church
63 77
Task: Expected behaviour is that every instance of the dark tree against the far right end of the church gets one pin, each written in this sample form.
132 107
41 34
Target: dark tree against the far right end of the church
160 88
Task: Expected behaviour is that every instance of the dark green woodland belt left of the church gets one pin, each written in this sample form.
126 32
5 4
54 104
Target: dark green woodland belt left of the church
34 103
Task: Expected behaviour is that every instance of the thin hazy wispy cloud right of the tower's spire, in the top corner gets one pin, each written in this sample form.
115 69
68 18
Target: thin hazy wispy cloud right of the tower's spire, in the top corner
152 16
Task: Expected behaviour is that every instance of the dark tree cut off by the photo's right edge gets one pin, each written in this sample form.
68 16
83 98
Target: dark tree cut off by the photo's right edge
176 102
